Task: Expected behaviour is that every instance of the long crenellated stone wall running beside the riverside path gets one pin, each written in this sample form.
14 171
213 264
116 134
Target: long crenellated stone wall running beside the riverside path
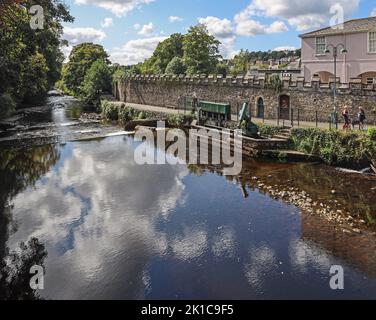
307 99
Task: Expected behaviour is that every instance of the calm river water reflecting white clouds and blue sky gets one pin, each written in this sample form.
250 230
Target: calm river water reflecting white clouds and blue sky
112 229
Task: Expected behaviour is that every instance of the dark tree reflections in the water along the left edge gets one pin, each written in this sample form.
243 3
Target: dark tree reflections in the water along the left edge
19 169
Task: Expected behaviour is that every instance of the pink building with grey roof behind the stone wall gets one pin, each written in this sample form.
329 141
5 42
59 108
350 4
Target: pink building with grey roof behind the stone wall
358 37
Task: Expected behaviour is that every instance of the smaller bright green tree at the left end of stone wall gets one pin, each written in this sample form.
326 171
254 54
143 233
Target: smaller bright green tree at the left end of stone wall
97 80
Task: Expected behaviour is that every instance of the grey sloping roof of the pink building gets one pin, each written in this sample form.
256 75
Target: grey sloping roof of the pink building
351 26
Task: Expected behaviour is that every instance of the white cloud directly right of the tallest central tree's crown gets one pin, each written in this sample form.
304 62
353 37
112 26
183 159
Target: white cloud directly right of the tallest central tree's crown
223 30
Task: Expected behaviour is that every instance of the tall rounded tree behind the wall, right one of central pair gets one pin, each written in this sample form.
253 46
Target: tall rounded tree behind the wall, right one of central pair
201 51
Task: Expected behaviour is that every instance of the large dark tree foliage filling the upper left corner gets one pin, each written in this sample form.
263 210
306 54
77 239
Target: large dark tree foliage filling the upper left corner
30 55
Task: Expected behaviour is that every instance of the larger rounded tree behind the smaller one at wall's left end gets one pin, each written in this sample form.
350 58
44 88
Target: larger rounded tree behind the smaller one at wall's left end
81 59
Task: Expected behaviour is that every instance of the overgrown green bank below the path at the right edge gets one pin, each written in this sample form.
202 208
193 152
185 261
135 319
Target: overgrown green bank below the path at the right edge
341 148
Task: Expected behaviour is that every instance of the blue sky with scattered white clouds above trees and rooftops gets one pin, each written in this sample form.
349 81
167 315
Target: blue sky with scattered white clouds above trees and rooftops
130 29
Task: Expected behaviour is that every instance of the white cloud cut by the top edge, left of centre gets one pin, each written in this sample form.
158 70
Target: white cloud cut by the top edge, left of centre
118 7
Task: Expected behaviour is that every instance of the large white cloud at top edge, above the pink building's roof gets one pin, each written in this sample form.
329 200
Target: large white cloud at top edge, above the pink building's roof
301 14
